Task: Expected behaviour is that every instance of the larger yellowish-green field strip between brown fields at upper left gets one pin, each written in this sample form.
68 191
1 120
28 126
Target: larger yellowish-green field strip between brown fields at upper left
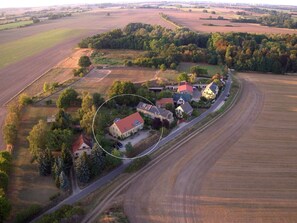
17 50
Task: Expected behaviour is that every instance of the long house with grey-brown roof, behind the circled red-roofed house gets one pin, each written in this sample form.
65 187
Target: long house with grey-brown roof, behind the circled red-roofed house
153 112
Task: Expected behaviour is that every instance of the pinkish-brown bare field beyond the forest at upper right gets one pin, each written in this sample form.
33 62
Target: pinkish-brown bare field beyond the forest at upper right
192 20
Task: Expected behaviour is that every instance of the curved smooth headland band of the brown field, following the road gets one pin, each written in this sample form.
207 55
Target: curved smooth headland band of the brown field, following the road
170 191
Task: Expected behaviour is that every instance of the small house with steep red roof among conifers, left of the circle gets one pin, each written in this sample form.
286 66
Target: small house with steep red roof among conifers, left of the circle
82 144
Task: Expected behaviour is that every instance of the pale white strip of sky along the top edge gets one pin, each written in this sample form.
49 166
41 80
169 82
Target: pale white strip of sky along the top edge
43 3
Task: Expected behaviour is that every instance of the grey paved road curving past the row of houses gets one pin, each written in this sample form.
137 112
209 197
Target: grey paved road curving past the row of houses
109 177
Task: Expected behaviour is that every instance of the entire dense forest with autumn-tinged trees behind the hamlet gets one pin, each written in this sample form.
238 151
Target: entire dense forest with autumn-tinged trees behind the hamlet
166 48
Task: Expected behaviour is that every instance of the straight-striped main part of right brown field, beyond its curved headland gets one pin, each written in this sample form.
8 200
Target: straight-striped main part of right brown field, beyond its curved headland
255 179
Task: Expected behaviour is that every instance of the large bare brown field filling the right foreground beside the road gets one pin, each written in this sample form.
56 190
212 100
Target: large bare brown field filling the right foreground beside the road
241 169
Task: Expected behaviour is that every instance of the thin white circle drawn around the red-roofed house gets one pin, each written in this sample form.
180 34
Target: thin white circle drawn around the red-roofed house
125 158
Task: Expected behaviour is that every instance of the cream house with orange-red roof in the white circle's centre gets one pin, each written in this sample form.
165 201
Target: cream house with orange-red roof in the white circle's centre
123 128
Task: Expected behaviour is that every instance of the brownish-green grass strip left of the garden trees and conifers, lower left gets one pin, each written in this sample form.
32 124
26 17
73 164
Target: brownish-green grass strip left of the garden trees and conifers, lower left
25 185
